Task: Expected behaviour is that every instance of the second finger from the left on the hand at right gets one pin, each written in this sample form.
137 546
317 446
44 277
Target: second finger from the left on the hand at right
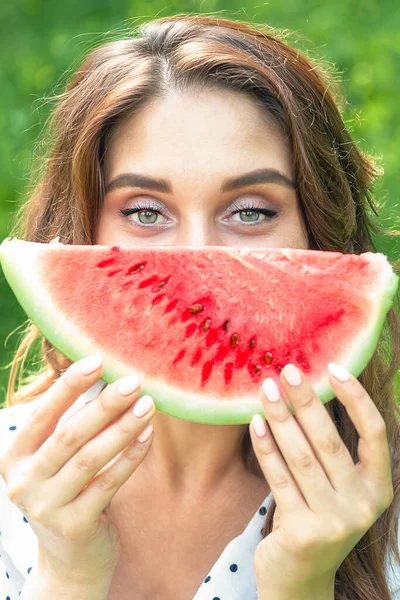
296 450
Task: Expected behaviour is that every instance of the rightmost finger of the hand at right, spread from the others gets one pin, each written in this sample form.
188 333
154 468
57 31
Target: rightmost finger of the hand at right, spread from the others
373 447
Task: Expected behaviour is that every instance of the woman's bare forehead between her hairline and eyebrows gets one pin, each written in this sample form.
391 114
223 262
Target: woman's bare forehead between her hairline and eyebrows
226 130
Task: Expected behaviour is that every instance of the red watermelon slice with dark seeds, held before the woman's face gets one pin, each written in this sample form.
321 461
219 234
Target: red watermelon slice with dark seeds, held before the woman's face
203 326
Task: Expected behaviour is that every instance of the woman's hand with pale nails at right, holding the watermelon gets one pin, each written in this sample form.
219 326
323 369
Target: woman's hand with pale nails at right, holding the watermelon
325 502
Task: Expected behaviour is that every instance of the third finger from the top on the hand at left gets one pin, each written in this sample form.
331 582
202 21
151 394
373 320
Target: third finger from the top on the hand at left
97 454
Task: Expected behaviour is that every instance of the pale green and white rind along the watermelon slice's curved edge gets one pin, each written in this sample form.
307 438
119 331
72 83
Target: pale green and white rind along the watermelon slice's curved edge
18 259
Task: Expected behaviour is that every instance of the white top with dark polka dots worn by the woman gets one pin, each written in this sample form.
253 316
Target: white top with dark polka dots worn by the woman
231 578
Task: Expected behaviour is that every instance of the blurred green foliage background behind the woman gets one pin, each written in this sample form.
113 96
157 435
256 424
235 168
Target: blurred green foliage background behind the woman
41 40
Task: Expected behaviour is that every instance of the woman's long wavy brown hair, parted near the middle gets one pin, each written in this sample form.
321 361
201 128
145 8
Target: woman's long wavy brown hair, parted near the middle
335 181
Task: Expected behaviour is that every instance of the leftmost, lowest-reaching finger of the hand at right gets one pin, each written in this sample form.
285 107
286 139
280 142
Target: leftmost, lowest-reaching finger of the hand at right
284 488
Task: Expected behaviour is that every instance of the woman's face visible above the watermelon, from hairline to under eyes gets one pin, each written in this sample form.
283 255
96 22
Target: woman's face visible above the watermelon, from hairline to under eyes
196 146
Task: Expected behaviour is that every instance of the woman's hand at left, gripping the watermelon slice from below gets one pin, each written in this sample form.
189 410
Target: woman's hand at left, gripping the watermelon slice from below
53 475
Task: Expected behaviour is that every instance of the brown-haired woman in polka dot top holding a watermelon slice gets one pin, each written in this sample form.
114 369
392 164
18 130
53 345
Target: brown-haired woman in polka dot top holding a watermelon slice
210 511
